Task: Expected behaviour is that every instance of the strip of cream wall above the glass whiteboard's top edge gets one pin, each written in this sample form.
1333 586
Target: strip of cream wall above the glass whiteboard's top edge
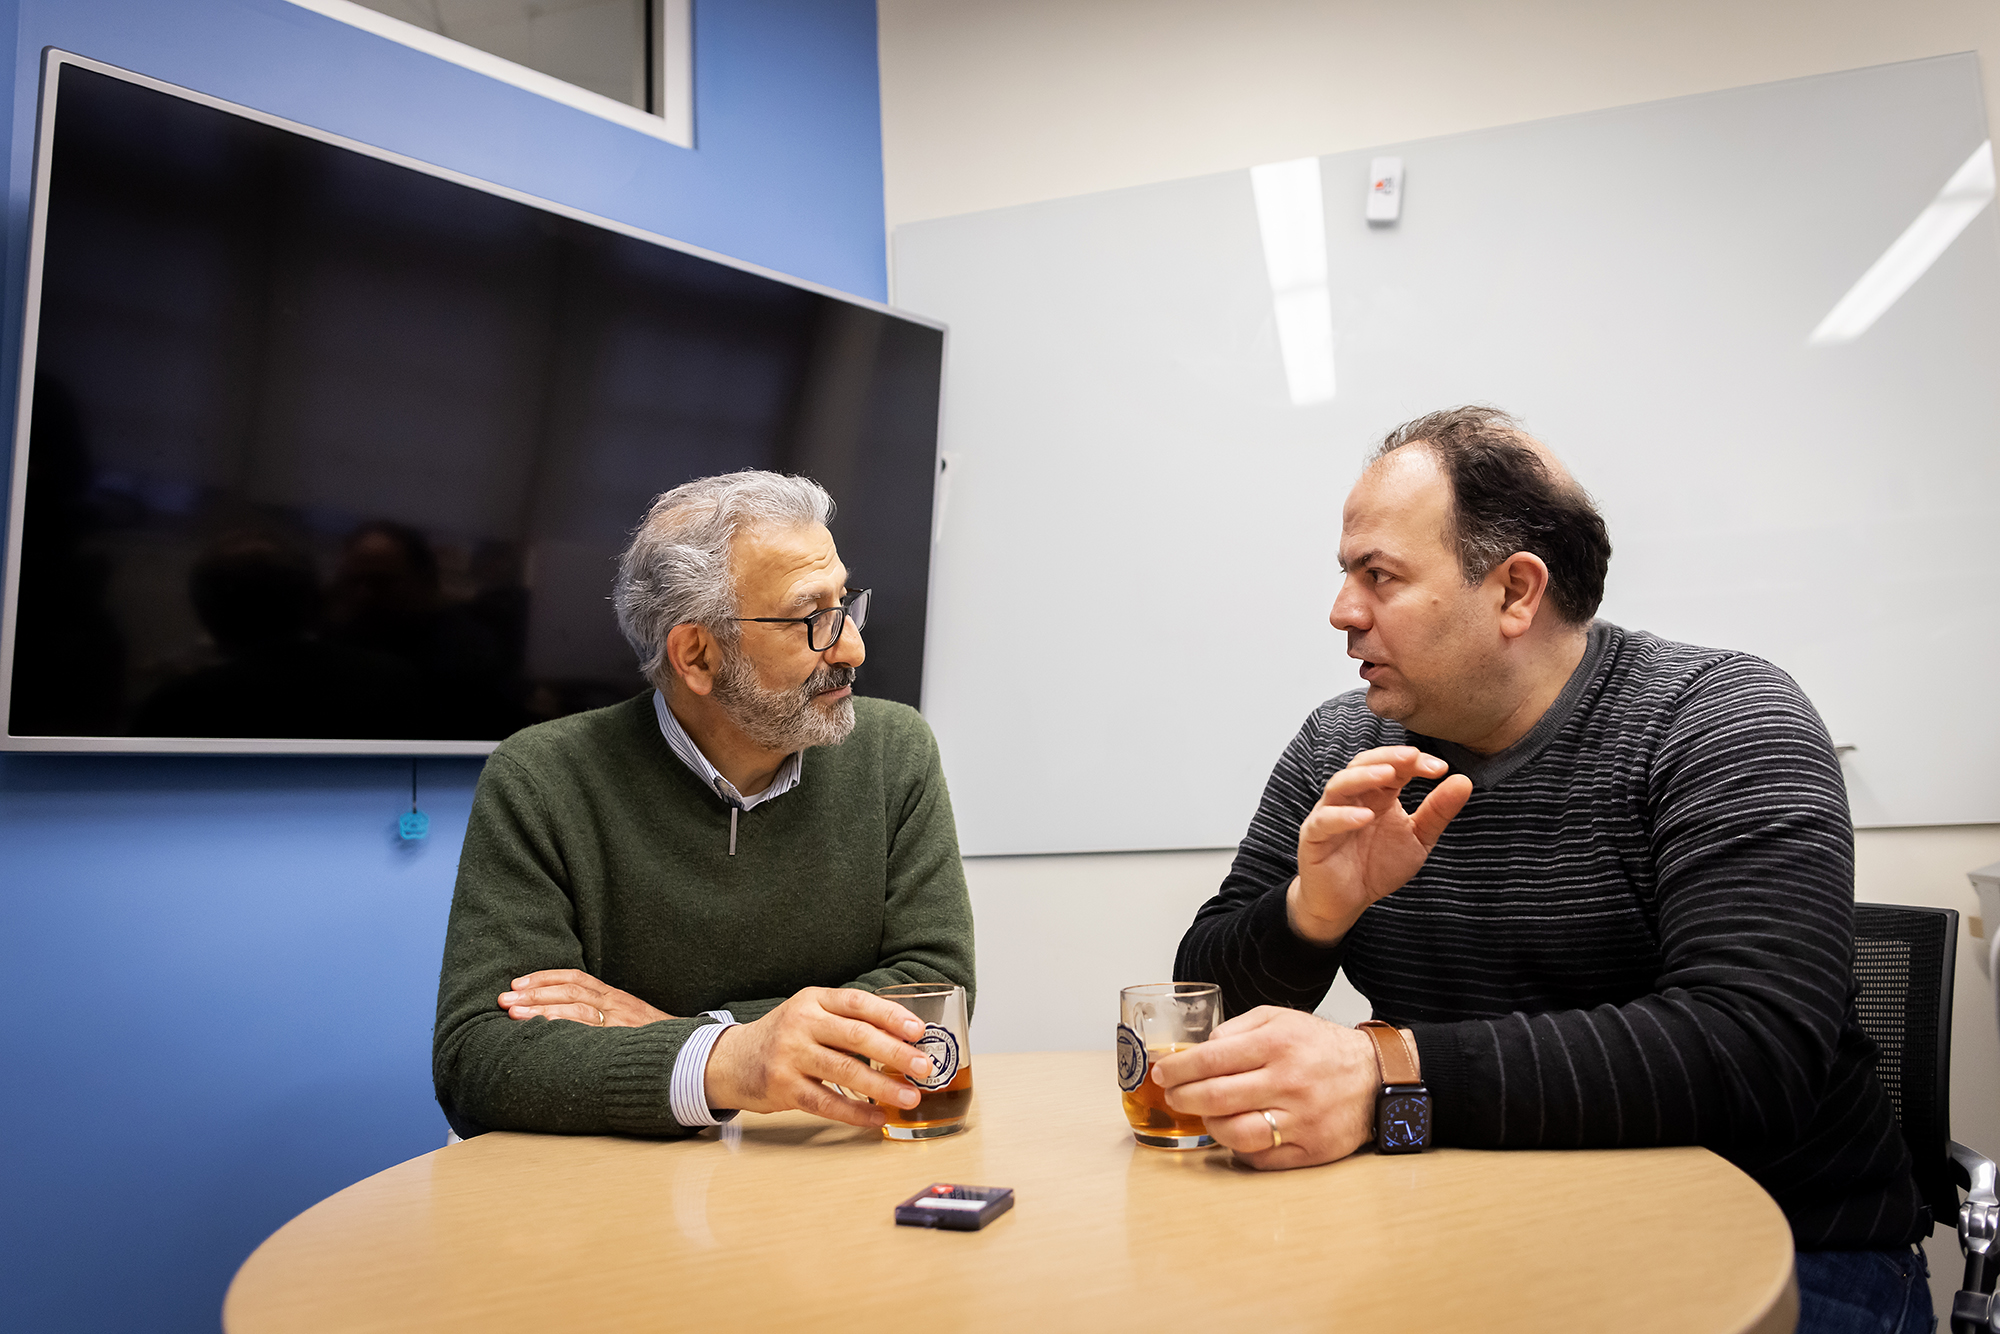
991 105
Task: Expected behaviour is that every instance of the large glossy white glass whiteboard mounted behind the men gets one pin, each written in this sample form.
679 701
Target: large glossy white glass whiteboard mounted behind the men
1137 531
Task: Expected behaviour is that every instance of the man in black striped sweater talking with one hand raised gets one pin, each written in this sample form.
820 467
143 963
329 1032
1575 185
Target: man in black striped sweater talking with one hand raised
1599 879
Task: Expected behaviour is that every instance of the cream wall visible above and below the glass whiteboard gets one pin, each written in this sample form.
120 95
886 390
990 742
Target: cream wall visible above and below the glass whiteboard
993 105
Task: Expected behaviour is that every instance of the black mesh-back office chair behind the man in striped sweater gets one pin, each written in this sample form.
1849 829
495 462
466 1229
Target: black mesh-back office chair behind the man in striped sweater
1905 963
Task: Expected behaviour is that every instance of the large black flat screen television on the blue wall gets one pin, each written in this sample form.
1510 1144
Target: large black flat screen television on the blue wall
331 451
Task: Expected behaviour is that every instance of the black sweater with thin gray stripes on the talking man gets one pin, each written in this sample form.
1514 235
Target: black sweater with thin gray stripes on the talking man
1639 931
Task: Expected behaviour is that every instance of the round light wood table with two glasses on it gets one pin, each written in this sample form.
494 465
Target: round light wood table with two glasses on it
785 1223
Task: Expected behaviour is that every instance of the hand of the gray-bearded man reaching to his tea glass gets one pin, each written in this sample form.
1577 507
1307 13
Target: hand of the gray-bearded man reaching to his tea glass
777 1063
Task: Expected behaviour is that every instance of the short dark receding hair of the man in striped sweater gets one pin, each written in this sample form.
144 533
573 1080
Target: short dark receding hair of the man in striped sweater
1507 499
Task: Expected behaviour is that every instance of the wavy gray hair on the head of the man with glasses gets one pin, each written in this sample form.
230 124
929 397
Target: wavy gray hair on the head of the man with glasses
677 571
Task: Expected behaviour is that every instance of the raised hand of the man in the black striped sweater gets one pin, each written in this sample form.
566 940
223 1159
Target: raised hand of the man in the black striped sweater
1359 845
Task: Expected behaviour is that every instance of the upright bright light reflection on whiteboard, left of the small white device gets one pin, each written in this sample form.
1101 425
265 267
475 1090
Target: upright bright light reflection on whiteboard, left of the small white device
1293 227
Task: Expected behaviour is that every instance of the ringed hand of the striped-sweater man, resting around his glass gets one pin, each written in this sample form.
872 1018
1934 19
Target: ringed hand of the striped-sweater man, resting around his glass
1319 1081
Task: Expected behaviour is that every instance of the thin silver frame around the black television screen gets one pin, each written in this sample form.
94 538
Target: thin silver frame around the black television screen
53 61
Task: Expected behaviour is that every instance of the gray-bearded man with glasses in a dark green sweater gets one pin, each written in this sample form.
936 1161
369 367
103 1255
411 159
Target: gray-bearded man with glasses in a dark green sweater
679 907
